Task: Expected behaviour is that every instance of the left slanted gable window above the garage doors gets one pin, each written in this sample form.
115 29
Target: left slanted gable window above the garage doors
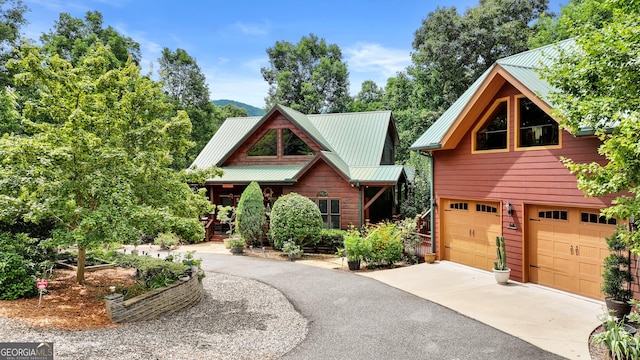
492 132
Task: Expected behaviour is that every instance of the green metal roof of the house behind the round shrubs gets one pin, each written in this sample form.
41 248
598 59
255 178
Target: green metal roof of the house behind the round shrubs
353 144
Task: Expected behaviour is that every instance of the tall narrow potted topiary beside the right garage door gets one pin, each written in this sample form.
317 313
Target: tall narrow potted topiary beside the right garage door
616 275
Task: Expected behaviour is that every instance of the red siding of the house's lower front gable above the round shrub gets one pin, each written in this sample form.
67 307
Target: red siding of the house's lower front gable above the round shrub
321 177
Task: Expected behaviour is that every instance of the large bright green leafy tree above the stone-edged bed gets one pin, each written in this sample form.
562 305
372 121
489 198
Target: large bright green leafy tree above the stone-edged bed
100 163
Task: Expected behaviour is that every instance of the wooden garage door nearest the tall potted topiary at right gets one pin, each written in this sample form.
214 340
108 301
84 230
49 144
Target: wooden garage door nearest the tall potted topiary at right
567 247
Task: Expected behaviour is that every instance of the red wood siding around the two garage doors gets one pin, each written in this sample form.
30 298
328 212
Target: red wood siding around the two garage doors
518 177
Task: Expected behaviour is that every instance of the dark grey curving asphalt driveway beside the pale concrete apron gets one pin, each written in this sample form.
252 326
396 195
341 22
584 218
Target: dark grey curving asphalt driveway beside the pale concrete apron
354 317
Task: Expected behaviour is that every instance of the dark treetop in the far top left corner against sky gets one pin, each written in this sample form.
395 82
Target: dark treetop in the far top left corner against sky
11 22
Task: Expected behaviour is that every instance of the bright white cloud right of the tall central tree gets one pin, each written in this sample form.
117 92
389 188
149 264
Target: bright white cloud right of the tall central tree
374 58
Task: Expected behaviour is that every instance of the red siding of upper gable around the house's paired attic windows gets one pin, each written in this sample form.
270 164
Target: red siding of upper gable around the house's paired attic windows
277 121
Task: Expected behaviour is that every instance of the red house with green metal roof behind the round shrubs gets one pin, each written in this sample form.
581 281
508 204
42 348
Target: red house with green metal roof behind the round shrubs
344 162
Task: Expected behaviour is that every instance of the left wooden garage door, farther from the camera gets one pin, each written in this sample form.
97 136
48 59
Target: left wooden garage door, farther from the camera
469 231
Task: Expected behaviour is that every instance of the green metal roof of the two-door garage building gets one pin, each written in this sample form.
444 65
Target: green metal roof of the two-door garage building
523 67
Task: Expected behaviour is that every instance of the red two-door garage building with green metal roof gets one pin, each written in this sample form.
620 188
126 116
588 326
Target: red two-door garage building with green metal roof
497 171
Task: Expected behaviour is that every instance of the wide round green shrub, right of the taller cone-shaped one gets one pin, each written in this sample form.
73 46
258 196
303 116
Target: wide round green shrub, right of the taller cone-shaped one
295 217
